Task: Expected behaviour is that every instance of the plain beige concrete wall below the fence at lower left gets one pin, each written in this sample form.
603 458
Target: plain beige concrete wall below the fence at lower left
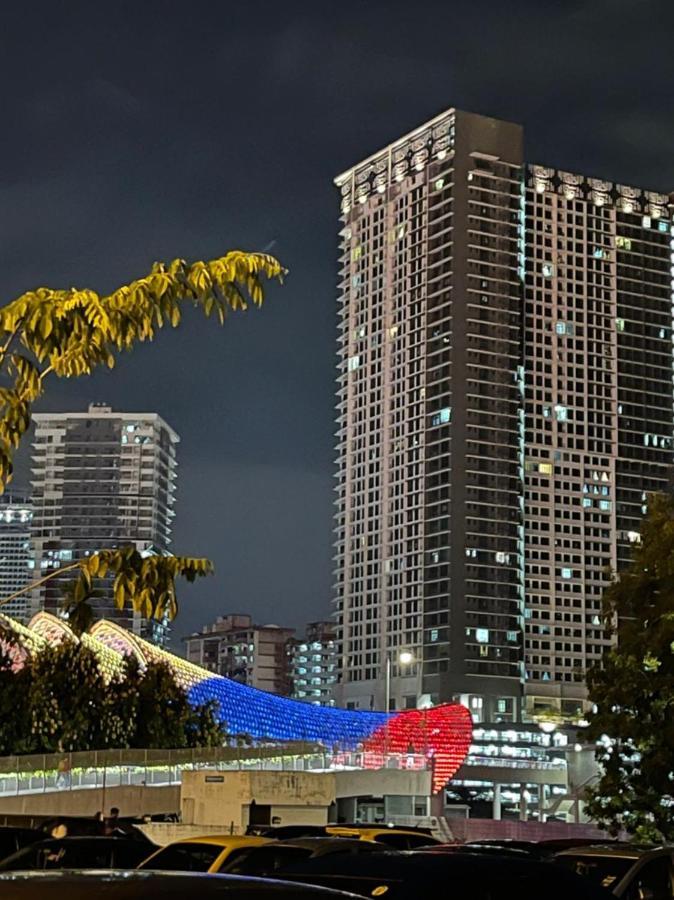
131 801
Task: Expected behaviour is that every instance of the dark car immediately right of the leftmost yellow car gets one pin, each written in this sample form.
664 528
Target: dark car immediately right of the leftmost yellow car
278 855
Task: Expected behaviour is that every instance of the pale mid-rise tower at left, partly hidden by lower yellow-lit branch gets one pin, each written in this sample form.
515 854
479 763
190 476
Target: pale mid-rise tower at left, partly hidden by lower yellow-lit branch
101 479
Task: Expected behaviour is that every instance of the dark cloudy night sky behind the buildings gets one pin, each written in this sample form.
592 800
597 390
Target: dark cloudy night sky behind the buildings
148 130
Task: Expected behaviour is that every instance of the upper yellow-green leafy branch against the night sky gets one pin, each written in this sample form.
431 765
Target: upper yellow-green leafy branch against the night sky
69 333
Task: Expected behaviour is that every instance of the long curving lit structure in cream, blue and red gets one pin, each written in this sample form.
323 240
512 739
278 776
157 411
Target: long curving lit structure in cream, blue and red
442 733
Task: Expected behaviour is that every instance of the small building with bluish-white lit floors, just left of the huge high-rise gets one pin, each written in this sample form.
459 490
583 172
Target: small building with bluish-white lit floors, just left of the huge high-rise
313 664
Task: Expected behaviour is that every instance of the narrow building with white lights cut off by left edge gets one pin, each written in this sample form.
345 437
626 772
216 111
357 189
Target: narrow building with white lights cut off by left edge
16 512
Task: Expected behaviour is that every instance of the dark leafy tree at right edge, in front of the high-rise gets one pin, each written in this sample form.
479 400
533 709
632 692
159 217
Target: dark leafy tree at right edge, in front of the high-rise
633 689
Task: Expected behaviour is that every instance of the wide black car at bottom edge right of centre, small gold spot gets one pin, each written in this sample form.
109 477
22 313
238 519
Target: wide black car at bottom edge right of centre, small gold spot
459 876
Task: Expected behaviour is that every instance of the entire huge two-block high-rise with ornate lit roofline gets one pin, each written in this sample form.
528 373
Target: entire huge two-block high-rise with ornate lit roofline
504 406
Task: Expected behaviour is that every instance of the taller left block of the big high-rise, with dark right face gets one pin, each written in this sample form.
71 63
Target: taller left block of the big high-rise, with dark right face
429 529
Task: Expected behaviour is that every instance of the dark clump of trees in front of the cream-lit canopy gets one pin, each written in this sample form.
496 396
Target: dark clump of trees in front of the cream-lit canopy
61 702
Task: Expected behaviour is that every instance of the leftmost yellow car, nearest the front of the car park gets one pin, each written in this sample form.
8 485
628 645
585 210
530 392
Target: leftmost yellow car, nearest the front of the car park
201 854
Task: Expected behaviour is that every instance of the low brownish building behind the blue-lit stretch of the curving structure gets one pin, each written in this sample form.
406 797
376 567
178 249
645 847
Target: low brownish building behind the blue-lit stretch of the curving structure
233 646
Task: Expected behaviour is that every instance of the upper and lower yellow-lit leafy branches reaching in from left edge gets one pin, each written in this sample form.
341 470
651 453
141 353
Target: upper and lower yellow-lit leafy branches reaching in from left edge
70 333
